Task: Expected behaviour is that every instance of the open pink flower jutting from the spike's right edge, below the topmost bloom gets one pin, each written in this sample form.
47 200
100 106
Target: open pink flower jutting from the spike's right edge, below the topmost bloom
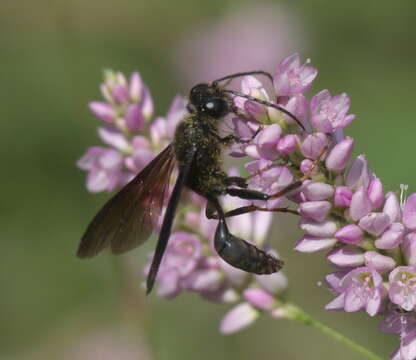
330 113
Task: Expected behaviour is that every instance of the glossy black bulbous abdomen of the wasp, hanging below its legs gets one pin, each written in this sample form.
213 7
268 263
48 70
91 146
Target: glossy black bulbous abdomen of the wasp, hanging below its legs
243 255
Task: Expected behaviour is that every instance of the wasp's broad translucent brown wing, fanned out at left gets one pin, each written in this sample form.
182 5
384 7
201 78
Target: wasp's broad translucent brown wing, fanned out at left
130 216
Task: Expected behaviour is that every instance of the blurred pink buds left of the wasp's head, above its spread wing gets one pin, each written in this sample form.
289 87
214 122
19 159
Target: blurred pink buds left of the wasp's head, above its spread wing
131 140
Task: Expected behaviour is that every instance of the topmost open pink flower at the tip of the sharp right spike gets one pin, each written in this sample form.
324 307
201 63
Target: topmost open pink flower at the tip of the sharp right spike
292 78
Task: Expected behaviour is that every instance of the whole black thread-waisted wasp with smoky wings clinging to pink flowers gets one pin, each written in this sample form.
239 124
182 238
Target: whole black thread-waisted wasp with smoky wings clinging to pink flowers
130 216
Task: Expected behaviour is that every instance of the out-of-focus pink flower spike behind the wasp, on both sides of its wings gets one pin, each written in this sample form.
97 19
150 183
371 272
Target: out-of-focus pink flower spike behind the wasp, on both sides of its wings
132 140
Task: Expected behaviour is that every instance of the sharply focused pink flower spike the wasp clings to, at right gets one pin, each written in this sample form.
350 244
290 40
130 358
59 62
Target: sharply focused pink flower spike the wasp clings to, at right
369 234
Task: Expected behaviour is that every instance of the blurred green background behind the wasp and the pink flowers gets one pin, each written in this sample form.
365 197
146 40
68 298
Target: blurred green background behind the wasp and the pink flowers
54 306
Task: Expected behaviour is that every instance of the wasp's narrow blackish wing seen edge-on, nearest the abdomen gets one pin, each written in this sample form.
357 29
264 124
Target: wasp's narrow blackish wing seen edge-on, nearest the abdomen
169 217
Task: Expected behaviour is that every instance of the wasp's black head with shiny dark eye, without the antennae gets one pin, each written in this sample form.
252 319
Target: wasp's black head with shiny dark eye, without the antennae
209 100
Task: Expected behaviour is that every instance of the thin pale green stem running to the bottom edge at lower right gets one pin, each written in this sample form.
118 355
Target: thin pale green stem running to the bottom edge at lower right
295 313
